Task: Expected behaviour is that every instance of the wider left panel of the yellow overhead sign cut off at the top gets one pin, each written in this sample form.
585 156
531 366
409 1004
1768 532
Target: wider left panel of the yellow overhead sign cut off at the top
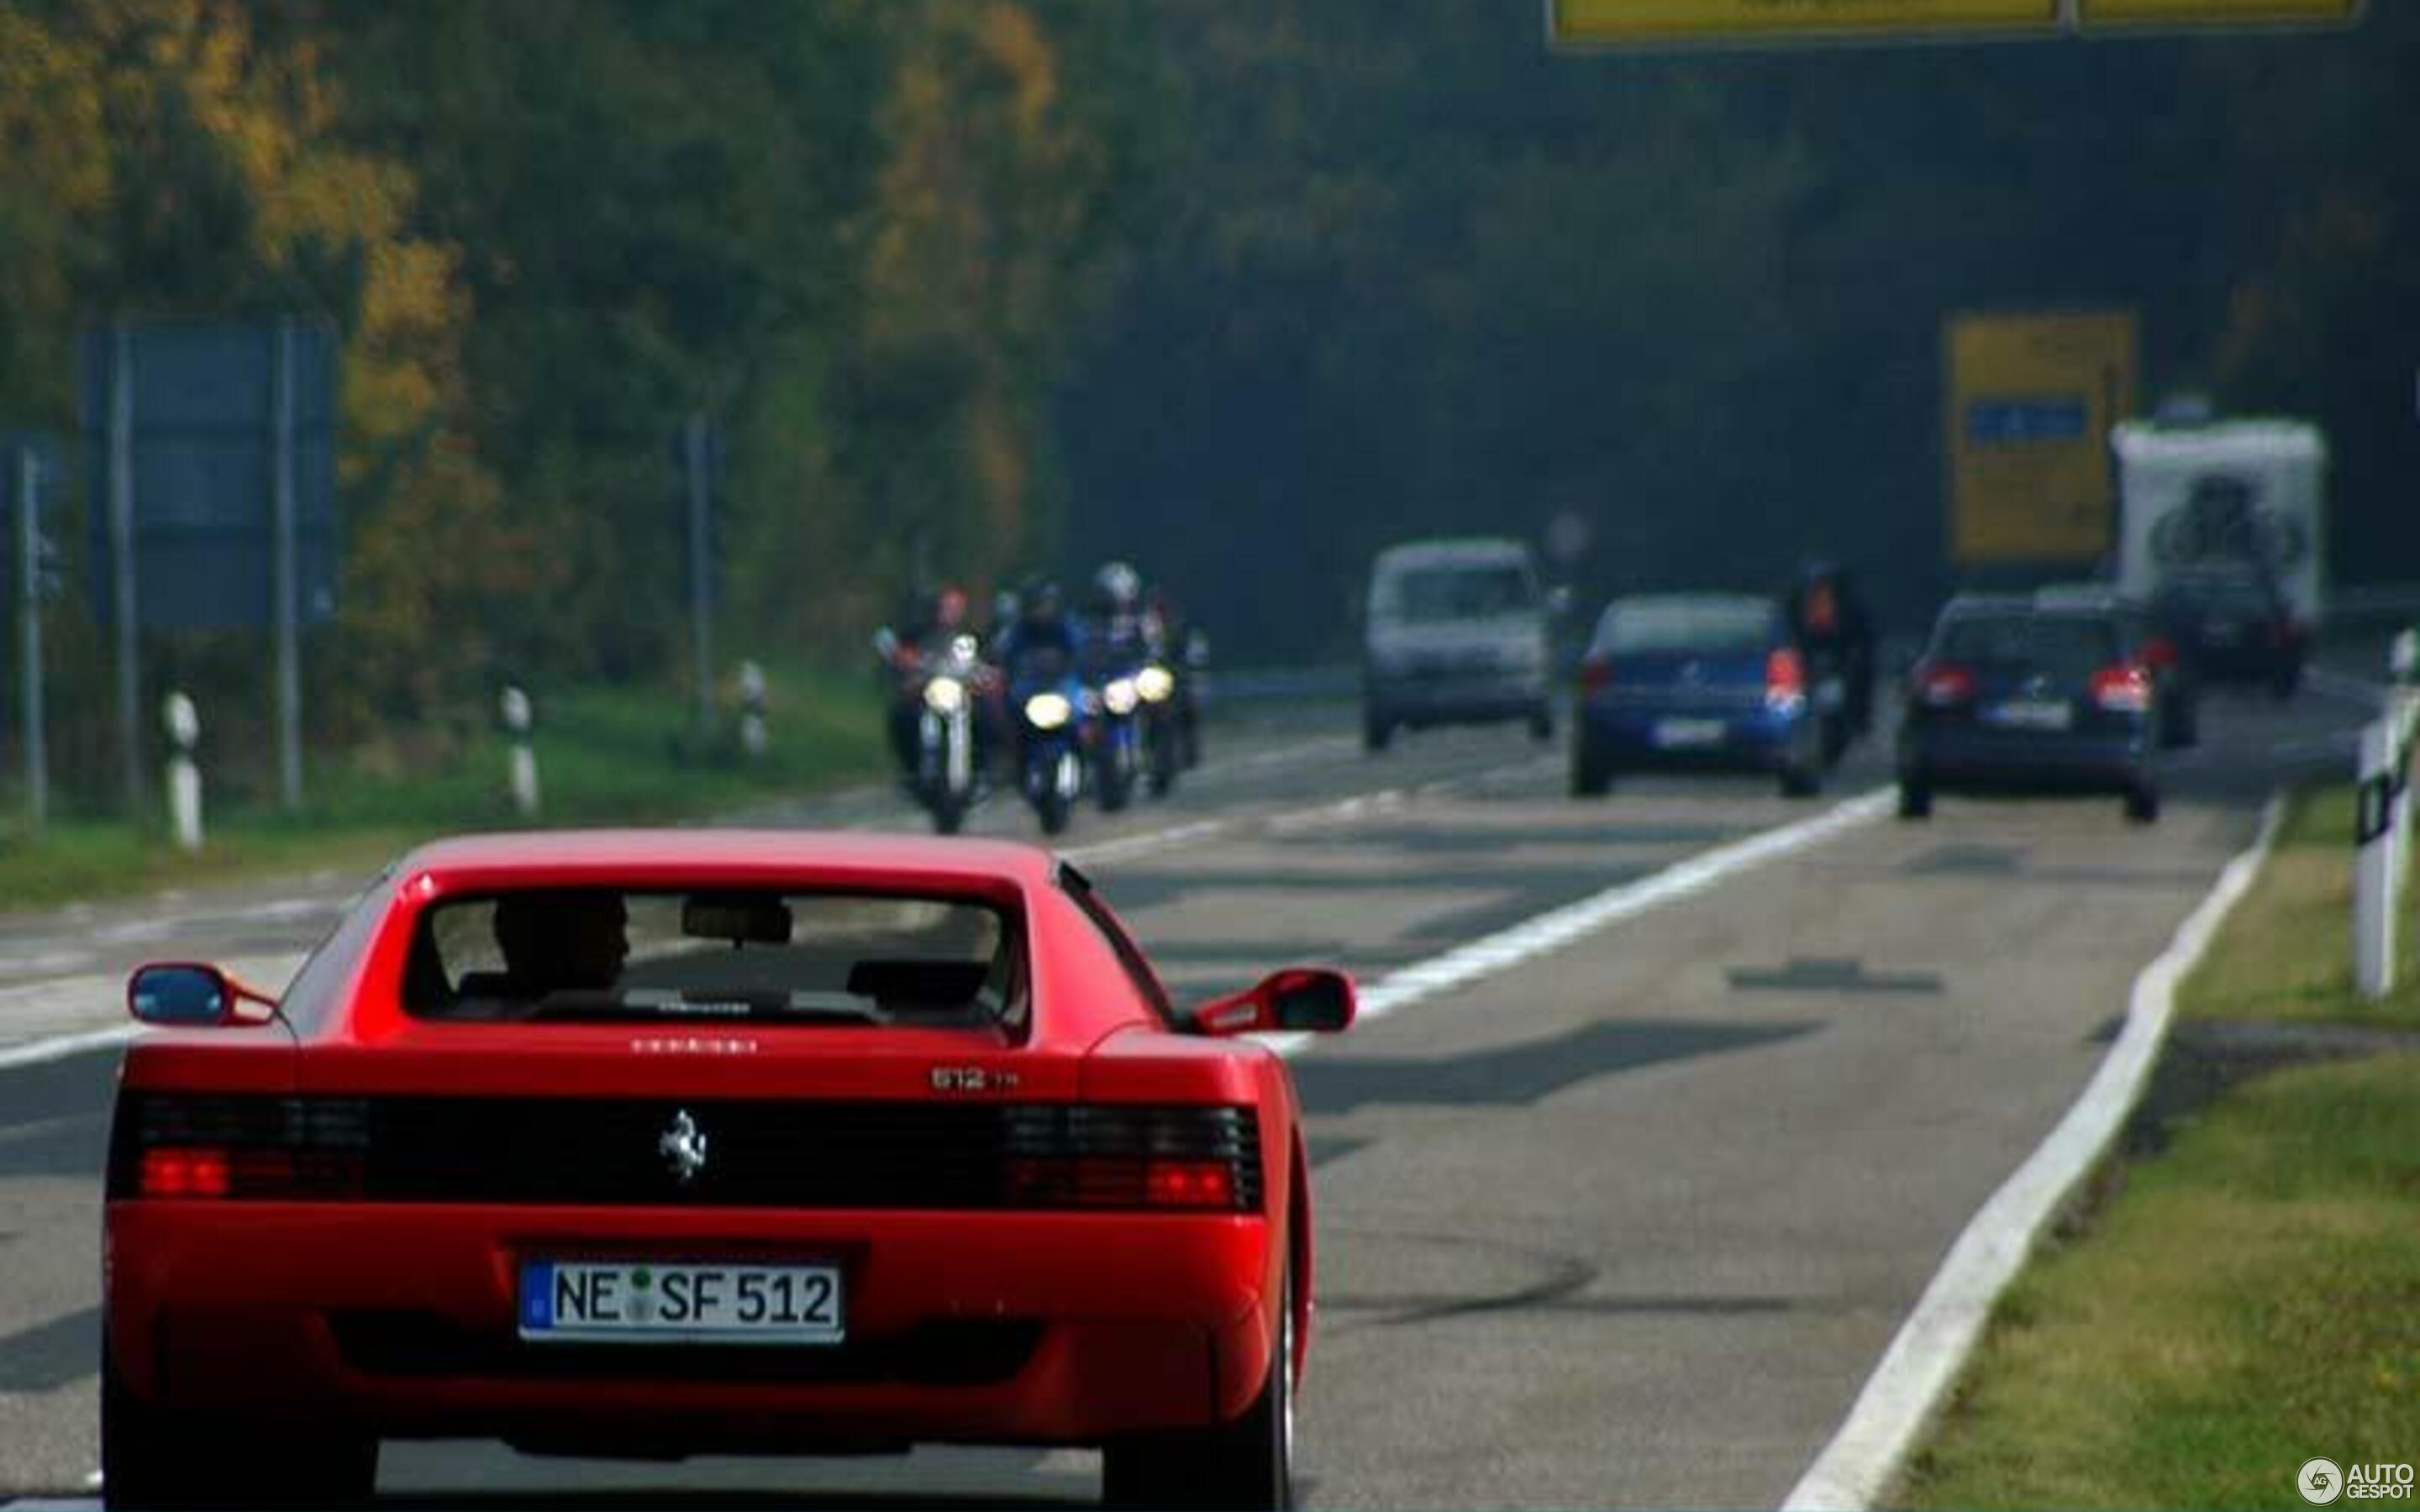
1627 23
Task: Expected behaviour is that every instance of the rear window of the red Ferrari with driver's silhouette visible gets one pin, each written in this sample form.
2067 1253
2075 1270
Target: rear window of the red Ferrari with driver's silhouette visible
613 957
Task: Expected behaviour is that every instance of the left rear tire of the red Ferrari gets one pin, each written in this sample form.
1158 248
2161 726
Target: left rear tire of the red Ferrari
192 1460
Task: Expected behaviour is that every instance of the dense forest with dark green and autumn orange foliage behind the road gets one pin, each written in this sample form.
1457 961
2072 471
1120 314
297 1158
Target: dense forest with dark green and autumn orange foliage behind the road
1238 289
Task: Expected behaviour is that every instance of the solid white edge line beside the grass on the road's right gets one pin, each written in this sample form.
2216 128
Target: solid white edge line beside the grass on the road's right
1925 1358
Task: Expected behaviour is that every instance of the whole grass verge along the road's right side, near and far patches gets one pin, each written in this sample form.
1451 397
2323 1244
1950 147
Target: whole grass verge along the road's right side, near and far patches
2242 1300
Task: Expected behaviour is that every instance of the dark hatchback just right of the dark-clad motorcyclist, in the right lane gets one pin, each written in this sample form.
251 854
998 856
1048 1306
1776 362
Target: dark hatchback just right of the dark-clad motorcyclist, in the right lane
2017 698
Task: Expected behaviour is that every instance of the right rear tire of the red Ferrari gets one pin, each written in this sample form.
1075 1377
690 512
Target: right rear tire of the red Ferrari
1245 1465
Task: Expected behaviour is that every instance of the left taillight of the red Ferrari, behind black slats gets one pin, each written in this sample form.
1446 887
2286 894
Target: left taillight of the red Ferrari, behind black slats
238 1148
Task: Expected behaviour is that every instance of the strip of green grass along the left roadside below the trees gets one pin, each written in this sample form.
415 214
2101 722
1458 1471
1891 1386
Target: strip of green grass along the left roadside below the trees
606 756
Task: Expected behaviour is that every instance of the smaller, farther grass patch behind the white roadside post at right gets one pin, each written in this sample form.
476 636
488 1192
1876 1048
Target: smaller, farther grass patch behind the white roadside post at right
2288 950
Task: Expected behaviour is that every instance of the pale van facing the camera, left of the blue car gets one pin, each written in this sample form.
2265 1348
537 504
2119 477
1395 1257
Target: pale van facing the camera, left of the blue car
1456 635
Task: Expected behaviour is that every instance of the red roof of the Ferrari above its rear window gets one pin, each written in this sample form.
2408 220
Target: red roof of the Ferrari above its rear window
788 858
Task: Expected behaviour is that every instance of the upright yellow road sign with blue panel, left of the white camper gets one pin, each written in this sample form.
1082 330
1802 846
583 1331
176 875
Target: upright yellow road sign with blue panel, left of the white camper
2029 403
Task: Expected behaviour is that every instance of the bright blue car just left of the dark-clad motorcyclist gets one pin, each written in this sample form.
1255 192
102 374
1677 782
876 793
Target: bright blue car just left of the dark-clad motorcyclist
1700 683
